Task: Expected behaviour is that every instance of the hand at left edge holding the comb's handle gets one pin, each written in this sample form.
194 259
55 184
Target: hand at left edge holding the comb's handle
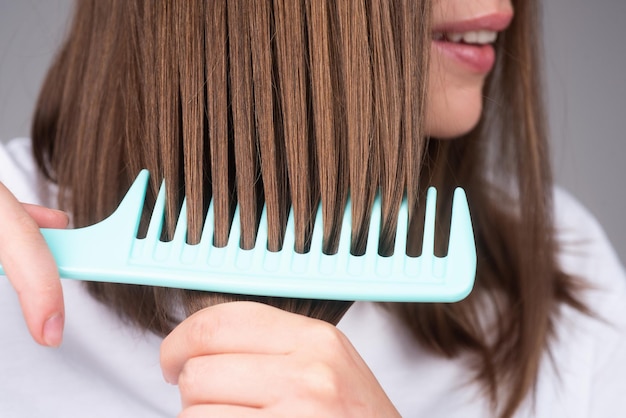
30 266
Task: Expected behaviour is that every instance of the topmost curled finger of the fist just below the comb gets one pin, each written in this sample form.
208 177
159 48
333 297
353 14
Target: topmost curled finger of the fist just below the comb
236 327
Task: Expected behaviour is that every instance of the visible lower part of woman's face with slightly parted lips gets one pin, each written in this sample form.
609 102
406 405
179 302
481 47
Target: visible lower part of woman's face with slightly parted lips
462 55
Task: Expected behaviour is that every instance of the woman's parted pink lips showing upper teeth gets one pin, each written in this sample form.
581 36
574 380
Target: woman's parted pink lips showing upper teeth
469 42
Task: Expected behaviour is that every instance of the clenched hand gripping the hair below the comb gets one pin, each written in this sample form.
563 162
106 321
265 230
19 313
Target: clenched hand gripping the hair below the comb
249 359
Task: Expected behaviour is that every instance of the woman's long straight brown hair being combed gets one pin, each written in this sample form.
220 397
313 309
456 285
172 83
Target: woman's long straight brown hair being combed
290 103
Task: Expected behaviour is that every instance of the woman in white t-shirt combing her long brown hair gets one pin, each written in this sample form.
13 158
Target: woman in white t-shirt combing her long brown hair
291 103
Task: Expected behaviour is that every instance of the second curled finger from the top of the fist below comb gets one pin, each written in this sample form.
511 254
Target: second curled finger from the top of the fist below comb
263 381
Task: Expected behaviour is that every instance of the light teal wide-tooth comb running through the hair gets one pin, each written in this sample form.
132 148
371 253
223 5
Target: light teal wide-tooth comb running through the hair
110 251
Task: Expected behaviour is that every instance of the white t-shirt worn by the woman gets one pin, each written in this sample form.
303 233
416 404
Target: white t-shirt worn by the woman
106 368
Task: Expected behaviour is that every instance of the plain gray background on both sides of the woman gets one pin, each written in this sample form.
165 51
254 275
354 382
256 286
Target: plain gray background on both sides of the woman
586 86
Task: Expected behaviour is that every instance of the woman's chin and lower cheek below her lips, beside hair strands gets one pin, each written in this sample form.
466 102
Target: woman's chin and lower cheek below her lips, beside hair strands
454 101
